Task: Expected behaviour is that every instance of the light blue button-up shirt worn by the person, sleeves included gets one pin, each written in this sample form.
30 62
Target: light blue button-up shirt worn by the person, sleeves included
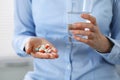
47 19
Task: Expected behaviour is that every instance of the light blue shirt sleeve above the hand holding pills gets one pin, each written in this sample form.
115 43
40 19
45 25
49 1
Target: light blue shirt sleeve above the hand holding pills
24 27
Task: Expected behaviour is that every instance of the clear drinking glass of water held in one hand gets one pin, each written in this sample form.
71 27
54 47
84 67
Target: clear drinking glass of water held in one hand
74 9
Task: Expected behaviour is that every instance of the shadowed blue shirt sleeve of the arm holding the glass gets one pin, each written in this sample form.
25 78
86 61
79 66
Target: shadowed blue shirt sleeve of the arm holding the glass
114 55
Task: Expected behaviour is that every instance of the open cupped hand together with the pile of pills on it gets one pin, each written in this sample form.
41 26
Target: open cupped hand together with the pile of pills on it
40 48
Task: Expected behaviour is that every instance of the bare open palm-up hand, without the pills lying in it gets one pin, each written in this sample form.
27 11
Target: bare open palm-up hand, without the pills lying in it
34 43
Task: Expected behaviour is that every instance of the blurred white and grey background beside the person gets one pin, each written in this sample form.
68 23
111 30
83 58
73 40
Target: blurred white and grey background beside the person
12 67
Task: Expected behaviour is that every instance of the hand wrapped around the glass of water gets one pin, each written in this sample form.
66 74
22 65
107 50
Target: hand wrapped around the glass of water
95 39
